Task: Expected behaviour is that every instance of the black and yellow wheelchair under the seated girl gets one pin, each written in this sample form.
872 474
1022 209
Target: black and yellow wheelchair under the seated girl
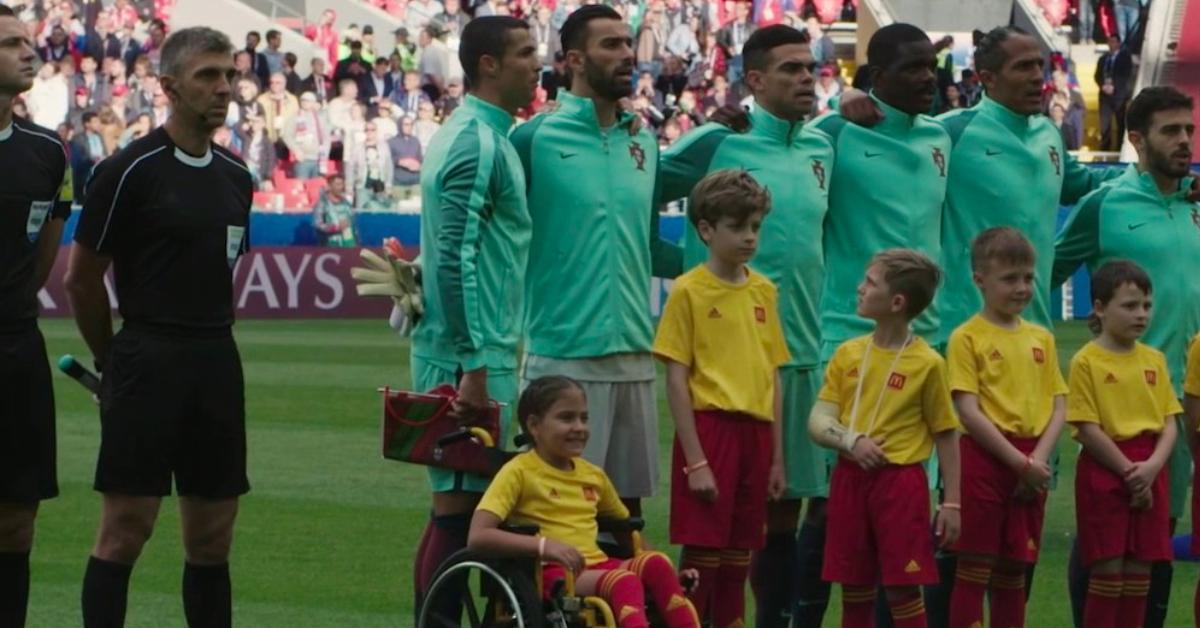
490 593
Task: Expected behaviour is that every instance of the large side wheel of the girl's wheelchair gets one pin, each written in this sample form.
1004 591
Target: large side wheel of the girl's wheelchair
478 593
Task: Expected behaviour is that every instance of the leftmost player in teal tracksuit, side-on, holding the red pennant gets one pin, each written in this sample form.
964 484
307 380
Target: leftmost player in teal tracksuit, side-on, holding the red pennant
476 240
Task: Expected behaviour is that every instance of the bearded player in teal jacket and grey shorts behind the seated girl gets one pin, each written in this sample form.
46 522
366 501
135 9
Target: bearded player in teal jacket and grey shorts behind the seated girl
591 176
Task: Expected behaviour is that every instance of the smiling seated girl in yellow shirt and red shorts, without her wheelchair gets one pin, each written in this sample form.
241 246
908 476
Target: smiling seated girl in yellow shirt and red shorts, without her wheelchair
554 488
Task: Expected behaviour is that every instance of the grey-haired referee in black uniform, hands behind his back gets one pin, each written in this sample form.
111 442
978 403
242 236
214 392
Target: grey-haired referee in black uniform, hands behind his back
170 213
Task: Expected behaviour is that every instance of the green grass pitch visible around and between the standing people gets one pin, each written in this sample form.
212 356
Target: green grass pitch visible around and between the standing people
327 535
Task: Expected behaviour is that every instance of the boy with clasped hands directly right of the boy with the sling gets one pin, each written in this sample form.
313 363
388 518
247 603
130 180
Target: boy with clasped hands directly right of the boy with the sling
1011 397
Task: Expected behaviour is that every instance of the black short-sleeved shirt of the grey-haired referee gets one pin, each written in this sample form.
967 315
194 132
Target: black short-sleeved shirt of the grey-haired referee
175 226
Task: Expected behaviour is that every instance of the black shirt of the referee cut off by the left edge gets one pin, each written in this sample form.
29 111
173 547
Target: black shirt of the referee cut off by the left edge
33 171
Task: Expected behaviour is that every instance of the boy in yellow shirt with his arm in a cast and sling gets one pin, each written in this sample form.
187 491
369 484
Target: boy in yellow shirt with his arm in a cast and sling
885 406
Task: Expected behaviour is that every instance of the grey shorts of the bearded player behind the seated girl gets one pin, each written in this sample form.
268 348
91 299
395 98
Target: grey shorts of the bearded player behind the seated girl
622 416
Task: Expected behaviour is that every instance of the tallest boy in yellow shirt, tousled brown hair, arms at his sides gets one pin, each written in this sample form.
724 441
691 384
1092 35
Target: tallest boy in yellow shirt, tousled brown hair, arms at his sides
723 343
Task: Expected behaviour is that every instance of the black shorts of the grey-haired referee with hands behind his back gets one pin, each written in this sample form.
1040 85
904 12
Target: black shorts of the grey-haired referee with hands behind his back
172 406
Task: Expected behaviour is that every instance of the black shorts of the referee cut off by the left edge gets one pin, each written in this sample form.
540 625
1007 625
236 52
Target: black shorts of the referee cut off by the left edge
28 450
